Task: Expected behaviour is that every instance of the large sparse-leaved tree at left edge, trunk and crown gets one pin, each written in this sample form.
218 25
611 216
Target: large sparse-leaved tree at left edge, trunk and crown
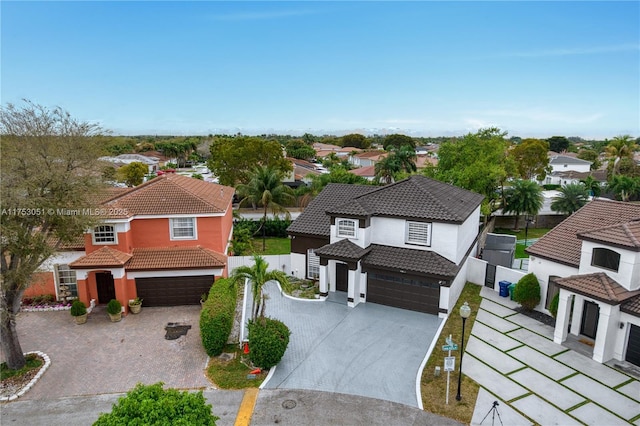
48 166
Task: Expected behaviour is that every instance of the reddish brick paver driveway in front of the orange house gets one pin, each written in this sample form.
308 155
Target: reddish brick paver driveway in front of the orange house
105 357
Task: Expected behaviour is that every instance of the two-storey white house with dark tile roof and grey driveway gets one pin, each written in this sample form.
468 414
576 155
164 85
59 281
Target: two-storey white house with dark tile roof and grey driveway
403 245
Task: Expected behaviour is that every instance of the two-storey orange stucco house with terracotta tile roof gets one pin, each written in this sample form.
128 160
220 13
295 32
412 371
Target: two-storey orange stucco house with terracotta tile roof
164 241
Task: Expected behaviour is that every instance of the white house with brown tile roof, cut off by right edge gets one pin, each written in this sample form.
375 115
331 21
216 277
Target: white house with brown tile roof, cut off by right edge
592 260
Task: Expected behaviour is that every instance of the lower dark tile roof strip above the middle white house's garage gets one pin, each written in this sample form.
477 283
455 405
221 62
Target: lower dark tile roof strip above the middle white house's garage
410 260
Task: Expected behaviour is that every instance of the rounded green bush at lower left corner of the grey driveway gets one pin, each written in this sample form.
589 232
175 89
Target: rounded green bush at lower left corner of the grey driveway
268 340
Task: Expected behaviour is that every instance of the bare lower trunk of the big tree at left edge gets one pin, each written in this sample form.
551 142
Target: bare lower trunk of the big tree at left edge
9 307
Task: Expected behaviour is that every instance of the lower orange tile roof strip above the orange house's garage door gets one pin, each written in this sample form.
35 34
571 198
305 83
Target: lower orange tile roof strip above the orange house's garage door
175 258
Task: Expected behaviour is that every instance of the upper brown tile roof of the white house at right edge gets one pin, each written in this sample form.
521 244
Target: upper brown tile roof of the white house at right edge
562 245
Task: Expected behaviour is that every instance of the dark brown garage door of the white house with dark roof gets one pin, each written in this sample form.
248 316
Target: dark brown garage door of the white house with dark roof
403 291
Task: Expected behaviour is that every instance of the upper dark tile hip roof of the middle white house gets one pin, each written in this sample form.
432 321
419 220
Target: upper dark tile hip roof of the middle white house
417 197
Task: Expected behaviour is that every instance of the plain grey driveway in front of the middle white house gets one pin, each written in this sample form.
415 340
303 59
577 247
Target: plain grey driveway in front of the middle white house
370 350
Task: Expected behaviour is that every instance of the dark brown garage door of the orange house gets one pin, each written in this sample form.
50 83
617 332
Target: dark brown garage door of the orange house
173 291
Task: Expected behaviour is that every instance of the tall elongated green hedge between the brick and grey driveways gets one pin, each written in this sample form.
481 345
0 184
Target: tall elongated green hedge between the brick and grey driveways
216 318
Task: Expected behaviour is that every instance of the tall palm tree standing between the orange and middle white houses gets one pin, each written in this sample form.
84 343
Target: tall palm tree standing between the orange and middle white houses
265 189
